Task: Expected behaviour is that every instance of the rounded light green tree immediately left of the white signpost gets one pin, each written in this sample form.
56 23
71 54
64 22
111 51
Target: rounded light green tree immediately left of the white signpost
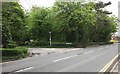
39 24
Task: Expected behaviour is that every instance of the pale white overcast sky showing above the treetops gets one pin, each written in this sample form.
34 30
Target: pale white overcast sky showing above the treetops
27 4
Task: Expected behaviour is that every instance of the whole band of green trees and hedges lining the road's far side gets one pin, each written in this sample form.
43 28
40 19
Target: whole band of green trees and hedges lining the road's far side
73 24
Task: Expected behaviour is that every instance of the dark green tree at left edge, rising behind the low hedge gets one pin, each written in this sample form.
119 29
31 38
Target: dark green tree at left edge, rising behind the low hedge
12 23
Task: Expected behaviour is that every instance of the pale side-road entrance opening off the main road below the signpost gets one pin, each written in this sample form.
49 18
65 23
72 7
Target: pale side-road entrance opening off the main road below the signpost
48 51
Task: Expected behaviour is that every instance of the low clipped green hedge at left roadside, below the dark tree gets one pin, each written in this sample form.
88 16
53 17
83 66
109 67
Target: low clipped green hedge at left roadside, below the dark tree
13 53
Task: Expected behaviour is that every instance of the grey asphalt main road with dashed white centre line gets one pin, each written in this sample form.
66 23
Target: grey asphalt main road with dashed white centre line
91 59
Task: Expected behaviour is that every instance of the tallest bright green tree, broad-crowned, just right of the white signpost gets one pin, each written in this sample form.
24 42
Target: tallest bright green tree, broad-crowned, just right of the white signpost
75 20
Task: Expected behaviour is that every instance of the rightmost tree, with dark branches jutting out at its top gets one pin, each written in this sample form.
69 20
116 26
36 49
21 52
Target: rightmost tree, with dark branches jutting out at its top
103 29
